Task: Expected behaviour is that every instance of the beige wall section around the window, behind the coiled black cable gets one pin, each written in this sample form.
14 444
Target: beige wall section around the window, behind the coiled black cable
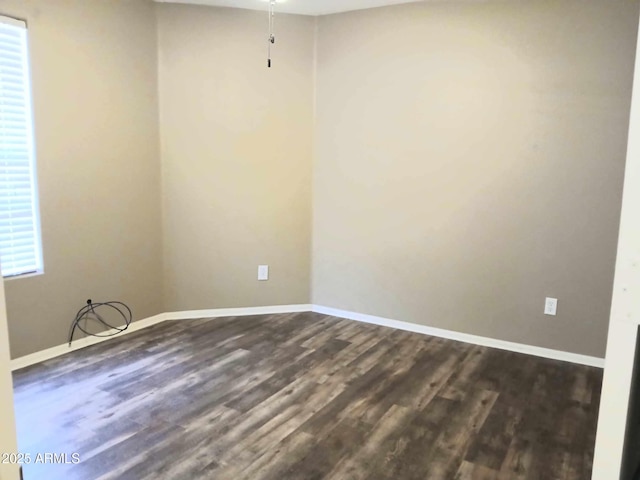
95 104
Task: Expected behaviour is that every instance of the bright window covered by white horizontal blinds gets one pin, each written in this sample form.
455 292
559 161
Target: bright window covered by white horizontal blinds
20 244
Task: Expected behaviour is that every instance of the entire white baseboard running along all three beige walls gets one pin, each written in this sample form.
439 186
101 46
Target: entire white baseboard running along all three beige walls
269 310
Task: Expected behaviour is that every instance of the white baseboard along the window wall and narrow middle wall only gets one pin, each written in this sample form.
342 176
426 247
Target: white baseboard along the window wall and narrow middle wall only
53 352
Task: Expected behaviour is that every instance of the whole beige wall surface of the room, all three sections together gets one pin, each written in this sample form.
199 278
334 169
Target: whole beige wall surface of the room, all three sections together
468 162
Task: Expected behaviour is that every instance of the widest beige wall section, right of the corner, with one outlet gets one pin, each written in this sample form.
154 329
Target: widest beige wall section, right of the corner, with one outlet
469 162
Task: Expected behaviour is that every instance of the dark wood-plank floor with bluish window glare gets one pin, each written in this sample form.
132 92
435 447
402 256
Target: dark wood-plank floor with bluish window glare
304 396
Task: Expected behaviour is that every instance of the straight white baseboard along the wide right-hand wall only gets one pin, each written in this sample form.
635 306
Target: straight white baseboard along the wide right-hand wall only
464 337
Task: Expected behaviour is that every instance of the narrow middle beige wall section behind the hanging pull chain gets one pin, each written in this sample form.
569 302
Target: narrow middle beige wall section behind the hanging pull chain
236 157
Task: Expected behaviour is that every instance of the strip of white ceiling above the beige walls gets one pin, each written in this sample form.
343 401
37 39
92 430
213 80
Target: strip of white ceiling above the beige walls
302 7
